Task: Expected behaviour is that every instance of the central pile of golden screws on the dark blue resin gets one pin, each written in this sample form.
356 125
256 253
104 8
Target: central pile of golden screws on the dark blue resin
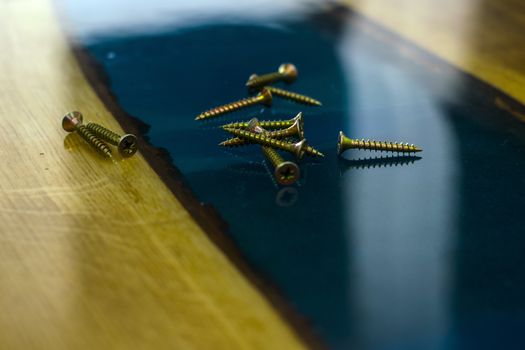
284 135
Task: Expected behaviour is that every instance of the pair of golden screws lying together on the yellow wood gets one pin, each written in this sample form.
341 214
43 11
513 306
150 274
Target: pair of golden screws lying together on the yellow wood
96 136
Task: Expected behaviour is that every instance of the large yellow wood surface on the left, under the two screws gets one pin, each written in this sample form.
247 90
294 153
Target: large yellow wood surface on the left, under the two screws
99 254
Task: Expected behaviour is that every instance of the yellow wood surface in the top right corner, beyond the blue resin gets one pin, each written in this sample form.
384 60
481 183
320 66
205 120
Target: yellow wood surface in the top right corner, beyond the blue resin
483 37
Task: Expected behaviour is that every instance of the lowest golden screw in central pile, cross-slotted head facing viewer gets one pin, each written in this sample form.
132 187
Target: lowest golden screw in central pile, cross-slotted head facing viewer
285 172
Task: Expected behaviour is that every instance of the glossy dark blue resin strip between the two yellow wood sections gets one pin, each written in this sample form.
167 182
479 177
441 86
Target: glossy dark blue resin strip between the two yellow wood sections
307 240
